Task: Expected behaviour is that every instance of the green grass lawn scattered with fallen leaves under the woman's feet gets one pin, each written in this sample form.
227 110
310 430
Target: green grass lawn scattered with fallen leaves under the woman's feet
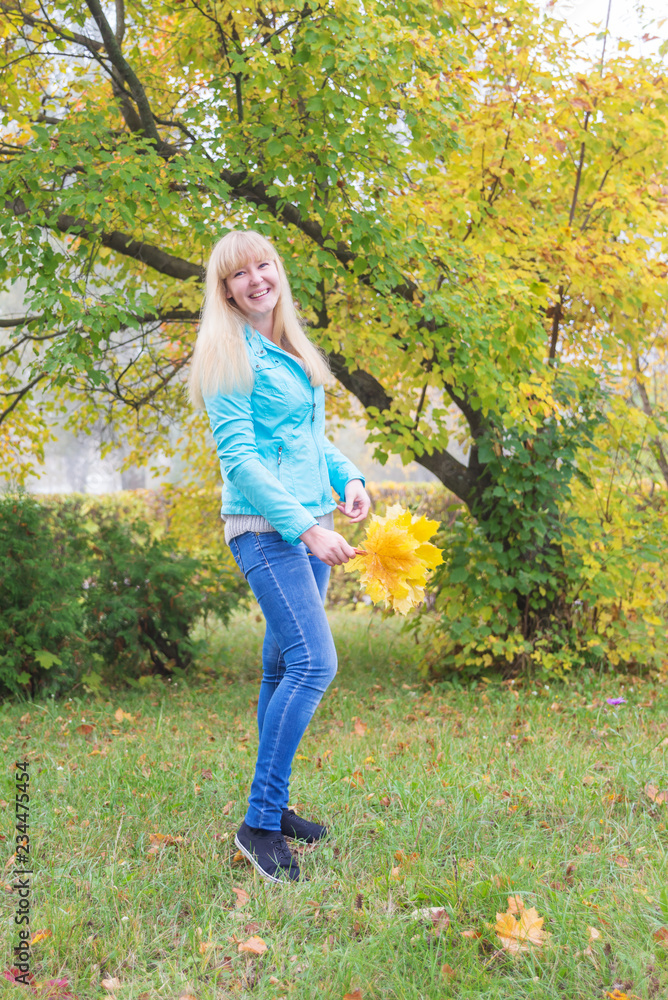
536 792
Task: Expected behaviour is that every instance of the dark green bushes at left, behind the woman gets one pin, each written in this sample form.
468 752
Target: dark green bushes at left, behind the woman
91 596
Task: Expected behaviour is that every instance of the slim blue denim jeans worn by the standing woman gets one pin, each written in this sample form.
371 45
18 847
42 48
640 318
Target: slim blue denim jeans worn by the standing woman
298 659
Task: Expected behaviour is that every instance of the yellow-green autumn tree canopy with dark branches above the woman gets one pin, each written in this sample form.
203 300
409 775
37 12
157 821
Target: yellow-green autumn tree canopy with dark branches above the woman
471 207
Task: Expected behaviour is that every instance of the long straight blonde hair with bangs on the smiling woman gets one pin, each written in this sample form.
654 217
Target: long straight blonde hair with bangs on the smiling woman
220 362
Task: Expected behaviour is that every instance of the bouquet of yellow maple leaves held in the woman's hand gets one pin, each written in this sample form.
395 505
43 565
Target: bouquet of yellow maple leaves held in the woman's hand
396 558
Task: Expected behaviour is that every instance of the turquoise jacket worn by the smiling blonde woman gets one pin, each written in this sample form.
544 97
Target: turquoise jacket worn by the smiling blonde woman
274 457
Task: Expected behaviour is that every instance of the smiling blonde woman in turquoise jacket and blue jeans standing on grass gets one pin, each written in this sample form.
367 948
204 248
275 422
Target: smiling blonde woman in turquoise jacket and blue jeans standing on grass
261 380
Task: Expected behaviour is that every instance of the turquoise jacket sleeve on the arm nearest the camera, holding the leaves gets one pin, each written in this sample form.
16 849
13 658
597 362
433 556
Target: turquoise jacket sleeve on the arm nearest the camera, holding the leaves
232 427
